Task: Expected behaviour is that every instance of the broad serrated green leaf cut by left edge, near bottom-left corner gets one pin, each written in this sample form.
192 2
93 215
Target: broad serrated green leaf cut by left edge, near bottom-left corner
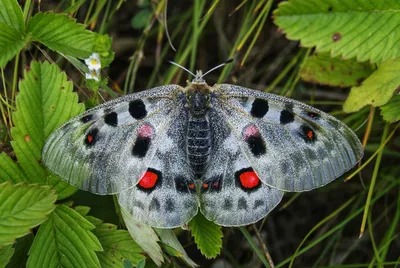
23 207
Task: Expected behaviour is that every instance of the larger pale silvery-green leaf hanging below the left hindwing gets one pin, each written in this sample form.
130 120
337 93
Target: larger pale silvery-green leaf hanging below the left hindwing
144 236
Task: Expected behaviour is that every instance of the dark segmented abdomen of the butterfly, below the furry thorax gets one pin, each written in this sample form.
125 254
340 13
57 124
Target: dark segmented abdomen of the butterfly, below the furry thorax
198 143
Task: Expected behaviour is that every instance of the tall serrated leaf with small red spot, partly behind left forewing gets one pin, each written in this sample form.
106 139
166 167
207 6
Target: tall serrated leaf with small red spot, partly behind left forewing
44 102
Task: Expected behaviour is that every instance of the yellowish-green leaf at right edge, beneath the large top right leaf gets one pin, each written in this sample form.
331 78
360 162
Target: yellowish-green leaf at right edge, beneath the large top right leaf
377 89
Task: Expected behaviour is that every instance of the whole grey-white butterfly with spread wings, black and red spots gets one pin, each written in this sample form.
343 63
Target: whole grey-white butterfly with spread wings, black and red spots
225 149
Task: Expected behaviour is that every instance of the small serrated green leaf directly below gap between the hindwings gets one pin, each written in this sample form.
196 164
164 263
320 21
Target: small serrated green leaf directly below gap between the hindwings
207 235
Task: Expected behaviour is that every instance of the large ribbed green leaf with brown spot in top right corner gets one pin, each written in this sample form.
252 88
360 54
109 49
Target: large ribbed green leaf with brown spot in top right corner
364 29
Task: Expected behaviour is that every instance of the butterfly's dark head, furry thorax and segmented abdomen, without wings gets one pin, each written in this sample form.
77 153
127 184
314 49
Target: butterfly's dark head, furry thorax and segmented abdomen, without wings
198 130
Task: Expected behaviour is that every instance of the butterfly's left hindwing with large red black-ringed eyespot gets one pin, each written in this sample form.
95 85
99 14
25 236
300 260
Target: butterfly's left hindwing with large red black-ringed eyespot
172 202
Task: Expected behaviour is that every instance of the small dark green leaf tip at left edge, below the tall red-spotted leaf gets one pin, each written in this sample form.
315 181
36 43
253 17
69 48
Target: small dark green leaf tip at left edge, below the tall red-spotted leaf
10 171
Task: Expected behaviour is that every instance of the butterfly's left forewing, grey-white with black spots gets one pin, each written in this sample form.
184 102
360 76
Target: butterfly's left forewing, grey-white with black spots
108 148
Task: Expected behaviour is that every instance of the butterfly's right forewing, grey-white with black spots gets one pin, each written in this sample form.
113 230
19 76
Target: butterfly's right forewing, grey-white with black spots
291 146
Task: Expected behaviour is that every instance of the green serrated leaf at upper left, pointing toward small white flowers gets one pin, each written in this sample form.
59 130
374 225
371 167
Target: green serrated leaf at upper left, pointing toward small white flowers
61 33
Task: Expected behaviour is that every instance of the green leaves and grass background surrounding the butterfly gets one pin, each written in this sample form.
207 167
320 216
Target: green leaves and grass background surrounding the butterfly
340 56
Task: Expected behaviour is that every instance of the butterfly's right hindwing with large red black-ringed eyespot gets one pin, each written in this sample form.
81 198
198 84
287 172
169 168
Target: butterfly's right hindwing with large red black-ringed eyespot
231 193
